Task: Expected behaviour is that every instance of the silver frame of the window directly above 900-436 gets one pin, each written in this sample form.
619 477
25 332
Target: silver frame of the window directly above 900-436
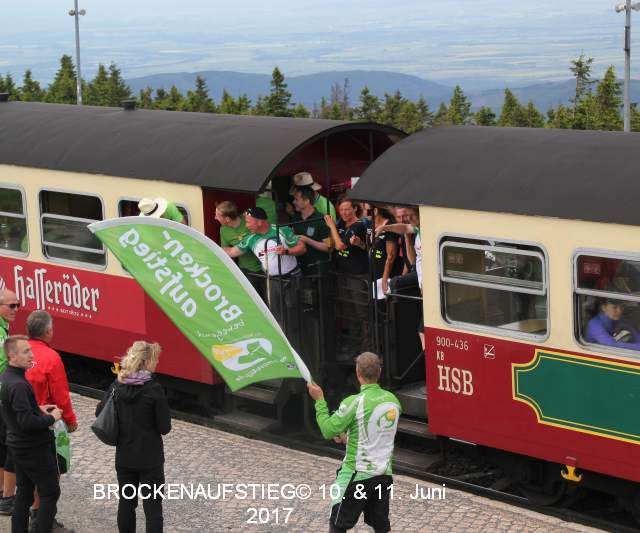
444 240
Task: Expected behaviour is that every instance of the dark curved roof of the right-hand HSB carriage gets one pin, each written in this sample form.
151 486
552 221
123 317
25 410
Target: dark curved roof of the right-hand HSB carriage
587 175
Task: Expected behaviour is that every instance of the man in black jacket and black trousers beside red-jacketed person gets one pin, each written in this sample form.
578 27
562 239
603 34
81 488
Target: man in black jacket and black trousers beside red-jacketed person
29 439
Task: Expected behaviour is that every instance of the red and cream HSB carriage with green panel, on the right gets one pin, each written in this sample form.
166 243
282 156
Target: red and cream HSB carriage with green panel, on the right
531 288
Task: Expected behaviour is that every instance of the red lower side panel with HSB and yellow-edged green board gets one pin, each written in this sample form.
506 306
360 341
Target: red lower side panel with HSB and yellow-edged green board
550 404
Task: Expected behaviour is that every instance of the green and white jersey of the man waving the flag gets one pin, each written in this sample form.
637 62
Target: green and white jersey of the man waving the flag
370 419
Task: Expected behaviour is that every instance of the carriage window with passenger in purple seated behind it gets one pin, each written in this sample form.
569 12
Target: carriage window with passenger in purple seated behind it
607 302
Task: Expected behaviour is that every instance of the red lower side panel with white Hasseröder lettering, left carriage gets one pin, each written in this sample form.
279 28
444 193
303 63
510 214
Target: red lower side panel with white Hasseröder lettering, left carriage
99 315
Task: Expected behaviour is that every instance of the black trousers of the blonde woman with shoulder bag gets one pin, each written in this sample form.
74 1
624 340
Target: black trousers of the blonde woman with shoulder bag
127 505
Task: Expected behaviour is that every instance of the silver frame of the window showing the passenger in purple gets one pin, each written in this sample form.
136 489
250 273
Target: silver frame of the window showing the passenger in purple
576 292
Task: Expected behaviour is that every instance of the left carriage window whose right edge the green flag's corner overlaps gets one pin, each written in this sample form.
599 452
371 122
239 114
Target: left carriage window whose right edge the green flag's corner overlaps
64 218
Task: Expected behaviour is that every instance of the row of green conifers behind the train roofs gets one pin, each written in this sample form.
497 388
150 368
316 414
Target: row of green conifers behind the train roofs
594 104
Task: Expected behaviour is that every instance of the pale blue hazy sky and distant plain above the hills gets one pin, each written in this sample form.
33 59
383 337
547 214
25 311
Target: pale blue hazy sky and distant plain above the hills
488 41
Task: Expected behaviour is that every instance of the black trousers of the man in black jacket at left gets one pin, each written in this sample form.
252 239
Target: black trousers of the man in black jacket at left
35 468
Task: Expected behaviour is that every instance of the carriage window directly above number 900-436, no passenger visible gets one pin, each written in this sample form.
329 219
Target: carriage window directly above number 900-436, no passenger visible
494 285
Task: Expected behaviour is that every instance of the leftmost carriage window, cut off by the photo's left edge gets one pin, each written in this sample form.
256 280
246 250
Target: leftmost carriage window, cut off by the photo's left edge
13 222
